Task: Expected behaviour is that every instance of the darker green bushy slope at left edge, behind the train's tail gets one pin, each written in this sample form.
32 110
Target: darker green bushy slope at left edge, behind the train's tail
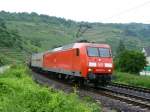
12 44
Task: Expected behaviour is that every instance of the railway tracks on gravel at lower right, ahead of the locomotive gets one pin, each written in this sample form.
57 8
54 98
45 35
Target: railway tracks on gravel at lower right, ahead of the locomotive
137 96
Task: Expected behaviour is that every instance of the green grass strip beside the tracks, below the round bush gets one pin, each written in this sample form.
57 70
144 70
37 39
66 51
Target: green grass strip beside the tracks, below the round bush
132 79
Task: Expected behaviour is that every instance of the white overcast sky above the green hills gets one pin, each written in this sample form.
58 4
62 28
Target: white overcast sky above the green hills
107 11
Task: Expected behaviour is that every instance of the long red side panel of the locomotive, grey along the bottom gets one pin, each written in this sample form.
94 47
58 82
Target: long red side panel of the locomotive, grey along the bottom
63 62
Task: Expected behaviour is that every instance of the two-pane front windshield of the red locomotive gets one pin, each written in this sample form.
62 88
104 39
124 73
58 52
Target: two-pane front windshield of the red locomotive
98 52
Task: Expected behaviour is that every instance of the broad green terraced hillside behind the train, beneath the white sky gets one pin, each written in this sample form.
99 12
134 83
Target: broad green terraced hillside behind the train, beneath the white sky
42 32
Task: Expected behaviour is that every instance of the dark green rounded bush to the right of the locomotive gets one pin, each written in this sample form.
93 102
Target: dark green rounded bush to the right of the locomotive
131 61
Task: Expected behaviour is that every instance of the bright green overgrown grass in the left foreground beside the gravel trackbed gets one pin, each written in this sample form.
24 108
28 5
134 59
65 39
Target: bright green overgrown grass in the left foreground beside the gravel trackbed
18 93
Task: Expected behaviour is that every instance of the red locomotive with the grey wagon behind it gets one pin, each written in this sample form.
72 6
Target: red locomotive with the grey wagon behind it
87 61
